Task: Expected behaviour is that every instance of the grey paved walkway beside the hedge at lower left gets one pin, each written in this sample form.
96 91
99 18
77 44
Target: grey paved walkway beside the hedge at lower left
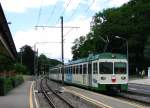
17 98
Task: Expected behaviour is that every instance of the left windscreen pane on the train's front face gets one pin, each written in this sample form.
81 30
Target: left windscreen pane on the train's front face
106 67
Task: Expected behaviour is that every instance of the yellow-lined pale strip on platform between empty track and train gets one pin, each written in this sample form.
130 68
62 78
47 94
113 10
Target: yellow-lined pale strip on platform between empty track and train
98 103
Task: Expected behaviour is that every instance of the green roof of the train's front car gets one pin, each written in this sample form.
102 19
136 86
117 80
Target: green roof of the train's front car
92 57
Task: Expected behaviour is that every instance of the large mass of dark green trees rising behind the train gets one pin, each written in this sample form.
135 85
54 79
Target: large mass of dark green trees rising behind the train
130 21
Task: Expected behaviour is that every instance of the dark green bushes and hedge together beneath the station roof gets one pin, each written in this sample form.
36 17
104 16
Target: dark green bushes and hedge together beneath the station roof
10 74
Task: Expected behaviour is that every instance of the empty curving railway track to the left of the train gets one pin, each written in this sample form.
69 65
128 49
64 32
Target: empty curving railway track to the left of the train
53 98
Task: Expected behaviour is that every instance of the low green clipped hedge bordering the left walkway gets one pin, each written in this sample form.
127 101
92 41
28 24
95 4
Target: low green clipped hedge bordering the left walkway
8 83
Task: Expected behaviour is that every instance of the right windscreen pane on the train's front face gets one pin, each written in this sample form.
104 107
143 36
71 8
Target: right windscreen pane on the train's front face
120 68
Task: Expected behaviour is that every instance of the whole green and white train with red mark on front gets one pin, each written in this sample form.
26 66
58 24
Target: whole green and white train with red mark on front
103 72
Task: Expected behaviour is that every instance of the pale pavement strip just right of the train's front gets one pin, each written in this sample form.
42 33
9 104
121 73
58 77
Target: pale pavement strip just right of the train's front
144 81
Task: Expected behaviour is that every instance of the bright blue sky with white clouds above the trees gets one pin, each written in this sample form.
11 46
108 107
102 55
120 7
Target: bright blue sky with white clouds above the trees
24 15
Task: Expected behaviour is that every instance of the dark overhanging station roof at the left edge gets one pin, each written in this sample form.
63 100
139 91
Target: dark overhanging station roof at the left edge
7 46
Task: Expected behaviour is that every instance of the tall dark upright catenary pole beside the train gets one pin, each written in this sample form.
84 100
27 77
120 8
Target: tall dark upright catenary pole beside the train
62 48
